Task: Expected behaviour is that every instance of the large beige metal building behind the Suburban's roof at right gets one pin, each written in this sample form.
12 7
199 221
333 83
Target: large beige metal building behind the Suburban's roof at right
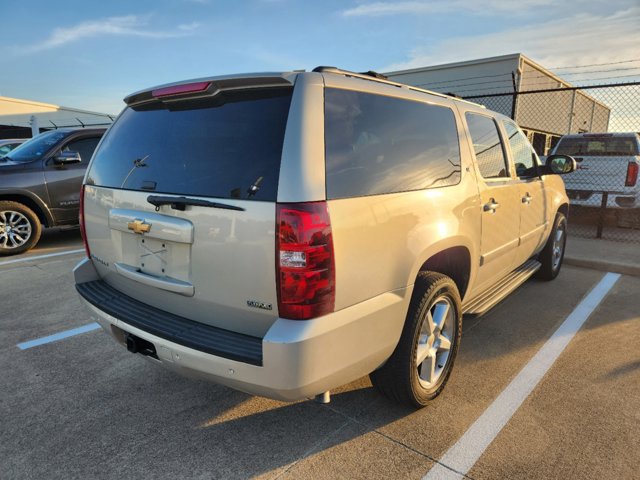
544 116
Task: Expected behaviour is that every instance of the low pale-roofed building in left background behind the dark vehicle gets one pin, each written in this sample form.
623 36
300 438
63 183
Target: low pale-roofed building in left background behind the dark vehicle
26 118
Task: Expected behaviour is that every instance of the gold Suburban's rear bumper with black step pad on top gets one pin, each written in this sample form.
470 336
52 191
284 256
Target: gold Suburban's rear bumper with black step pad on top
297 359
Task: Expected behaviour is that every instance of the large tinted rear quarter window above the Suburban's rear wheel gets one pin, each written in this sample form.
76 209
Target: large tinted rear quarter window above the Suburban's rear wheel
376 144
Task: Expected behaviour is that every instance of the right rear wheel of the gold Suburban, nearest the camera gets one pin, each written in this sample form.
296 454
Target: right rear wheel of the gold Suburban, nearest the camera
420 366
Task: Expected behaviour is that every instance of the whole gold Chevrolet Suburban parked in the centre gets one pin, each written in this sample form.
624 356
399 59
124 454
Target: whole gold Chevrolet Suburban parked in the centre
287 233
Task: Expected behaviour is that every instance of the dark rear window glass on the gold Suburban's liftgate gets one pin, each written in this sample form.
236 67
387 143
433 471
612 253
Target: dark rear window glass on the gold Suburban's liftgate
227 146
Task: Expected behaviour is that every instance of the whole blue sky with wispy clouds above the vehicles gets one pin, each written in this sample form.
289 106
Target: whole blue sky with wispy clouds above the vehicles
89 54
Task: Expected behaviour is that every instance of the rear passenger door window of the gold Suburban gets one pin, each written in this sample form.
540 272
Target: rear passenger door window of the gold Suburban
487 146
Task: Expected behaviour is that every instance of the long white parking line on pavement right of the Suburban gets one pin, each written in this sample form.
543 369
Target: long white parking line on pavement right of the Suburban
462 456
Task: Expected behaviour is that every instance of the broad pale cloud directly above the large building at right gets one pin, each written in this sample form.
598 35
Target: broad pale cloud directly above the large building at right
577 40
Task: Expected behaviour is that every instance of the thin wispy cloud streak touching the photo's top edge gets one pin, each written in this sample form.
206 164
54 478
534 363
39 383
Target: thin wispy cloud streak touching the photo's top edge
379 9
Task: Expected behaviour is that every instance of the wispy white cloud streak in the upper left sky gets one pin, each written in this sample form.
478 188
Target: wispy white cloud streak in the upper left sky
129 25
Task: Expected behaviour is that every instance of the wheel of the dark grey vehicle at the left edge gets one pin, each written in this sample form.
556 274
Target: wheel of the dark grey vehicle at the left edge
20 228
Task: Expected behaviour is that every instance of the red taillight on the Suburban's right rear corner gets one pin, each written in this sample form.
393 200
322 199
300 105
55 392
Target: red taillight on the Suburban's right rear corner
304 260
